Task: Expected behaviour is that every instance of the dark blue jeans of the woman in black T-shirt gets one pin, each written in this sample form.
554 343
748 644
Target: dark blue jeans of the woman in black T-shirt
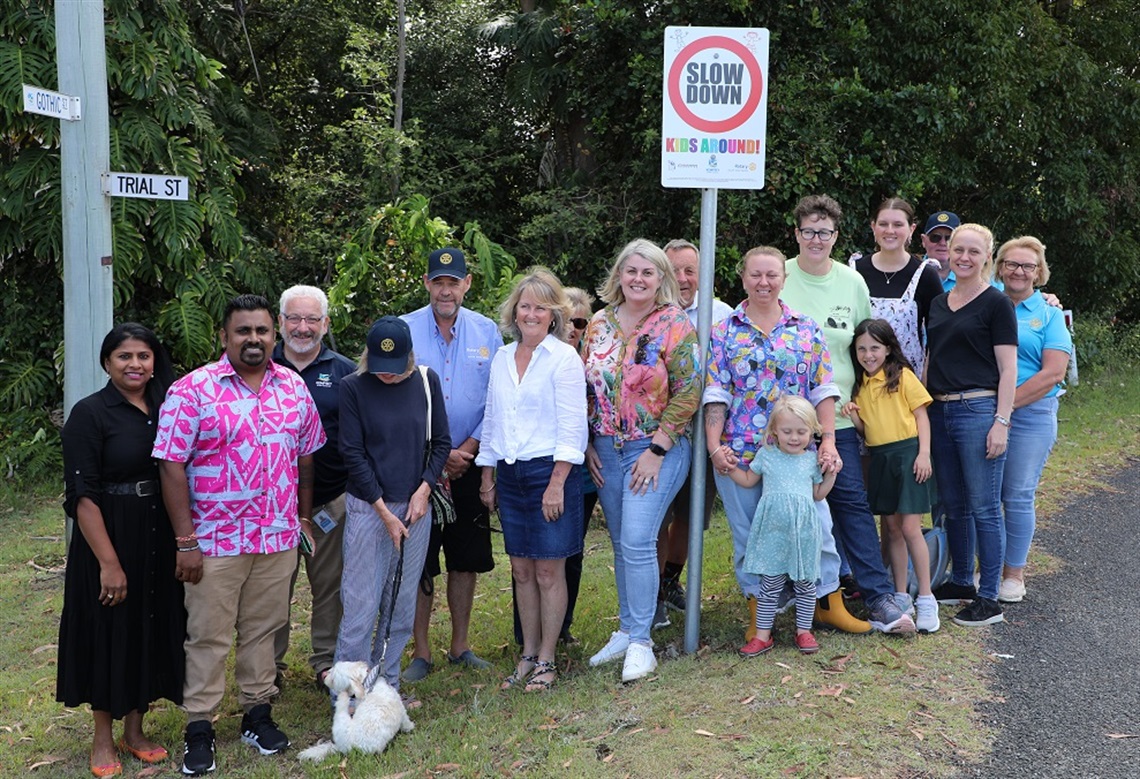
970 485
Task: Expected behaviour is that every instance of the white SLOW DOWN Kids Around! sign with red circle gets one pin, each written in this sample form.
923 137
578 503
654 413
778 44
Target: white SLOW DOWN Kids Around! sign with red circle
714 108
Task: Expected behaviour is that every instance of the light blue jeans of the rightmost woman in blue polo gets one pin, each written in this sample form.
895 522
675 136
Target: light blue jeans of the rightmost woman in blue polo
1031 440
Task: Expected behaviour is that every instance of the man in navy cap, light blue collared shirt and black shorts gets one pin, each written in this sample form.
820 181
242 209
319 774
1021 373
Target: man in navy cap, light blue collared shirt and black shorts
459 345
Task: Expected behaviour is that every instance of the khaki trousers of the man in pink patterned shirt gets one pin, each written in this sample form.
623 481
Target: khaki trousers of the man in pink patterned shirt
247 593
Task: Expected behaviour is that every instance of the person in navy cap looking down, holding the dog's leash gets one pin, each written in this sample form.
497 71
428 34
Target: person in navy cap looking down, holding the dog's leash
382 439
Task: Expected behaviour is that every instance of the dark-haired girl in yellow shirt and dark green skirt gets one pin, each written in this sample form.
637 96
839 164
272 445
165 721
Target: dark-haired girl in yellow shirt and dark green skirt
890 409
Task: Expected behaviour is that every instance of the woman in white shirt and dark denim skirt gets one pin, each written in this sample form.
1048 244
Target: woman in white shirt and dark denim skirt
533 448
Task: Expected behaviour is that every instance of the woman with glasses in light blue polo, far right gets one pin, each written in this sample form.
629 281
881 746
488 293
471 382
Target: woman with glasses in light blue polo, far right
1044 350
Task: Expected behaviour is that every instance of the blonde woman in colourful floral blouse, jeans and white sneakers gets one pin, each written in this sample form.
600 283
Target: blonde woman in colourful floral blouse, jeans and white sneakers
644 388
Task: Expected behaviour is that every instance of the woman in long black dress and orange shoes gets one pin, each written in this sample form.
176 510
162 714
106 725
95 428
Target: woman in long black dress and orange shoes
124 622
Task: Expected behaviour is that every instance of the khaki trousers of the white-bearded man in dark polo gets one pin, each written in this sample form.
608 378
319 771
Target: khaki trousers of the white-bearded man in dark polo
324 574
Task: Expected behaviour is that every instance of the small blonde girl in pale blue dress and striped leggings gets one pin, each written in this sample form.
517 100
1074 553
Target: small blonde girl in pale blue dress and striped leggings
784 543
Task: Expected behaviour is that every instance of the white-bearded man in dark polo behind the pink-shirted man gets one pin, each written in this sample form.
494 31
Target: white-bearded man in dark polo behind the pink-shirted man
303 323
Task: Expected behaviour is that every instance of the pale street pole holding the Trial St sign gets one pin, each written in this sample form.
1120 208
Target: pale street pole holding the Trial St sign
85 153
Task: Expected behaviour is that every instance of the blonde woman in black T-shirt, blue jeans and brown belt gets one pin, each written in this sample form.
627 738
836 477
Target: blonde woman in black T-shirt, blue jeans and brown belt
972 374
